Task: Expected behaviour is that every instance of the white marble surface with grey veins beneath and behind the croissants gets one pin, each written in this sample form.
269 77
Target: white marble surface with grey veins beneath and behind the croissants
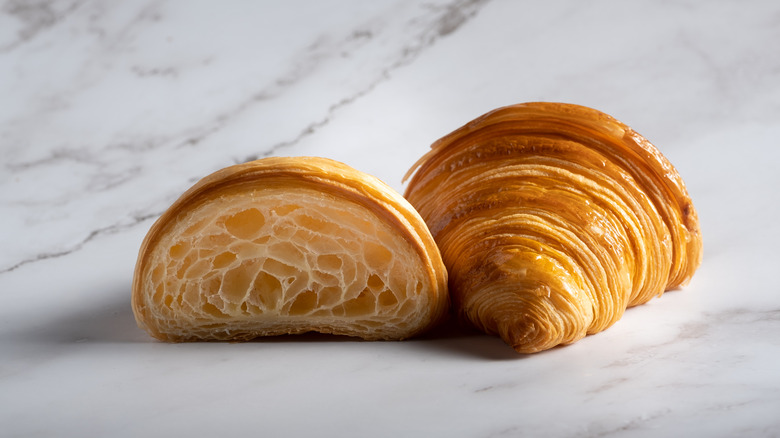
110 110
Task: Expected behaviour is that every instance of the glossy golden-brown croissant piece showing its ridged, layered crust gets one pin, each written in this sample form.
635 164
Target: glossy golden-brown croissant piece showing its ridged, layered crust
552 219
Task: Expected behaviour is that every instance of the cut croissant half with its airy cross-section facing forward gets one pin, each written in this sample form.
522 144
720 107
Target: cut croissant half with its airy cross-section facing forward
285 246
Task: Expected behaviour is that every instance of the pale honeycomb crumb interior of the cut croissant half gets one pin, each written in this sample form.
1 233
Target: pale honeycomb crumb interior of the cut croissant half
282 261
